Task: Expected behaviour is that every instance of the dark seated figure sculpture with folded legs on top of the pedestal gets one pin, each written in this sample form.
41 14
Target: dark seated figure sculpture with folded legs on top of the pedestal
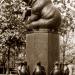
43 15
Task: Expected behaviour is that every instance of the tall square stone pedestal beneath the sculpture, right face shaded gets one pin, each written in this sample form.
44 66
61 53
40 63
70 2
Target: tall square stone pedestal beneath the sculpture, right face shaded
42 46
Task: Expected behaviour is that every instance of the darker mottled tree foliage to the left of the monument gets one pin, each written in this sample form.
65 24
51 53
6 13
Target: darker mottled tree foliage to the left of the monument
12 29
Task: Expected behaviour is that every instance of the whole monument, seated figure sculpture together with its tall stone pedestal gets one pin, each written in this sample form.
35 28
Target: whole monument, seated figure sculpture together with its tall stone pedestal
42 37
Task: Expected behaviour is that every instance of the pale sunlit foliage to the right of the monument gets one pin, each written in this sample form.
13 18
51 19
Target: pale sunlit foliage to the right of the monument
66 30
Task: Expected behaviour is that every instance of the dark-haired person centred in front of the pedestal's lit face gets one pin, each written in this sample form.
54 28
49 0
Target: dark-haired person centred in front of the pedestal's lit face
39 69
